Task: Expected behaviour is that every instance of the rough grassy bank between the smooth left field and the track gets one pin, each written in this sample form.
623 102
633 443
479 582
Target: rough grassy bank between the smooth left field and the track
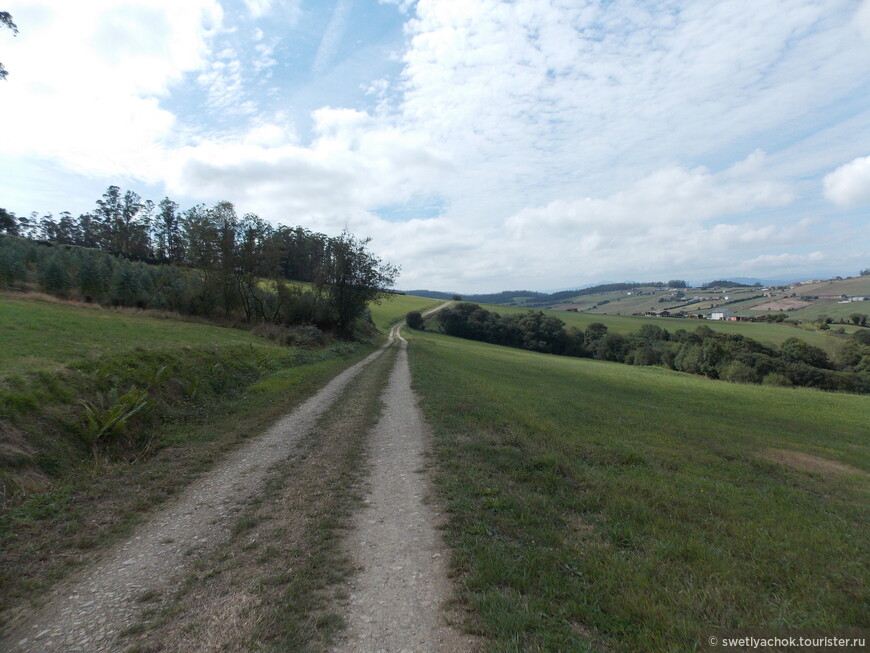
205 400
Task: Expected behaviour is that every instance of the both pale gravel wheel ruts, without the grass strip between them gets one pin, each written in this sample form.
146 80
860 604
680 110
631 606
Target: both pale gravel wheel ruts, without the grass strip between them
395 600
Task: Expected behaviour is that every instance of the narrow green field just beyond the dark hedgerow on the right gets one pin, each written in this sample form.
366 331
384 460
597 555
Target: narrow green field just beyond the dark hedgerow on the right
765 332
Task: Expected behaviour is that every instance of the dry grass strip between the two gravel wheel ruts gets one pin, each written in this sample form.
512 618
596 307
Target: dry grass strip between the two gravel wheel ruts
274 584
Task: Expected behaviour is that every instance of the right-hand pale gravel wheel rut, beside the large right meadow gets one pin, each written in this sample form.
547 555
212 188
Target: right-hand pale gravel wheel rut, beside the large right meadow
396 599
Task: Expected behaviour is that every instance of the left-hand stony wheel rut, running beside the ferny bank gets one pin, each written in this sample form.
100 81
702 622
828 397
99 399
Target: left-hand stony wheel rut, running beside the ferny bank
90 613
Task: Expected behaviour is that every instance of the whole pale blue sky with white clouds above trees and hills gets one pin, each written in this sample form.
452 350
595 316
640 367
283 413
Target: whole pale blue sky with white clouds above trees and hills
483 145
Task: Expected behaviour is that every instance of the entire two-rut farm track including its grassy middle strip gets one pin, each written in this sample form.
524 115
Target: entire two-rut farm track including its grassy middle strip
219 567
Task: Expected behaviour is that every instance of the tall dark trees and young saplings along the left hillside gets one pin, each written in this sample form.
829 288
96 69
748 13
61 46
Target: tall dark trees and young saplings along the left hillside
204 261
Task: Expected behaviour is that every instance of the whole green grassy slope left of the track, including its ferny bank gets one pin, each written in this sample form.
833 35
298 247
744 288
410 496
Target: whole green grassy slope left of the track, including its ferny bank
69 486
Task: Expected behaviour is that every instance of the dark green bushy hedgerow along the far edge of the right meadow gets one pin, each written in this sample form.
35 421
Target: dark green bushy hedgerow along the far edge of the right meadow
705 352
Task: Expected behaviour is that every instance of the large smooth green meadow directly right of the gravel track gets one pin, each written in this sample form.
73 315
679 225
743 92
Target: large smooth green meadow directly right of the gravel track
597 506
